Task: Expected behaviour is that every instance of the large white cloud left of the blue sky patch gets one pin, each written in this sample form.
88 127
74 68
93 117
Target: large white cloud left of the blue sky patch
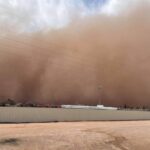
33 15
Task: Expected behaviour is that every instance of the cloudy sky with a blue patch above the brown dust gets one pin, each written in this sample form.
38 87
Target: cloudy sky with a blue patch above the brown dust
36 15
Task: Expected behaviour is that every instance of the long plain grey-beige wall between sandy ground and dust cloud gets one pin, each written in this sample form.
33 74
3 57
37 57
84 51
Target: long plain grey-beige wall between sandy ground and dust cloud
23 114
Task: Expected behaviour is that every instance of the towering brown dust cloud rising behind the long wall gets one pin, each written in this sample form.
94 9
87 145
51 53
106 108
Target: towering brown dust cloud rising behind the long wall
97 59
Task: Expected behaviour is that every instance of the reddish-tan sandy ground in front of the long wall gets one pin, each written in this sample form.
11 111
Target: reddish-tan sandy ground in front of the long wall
76 136
